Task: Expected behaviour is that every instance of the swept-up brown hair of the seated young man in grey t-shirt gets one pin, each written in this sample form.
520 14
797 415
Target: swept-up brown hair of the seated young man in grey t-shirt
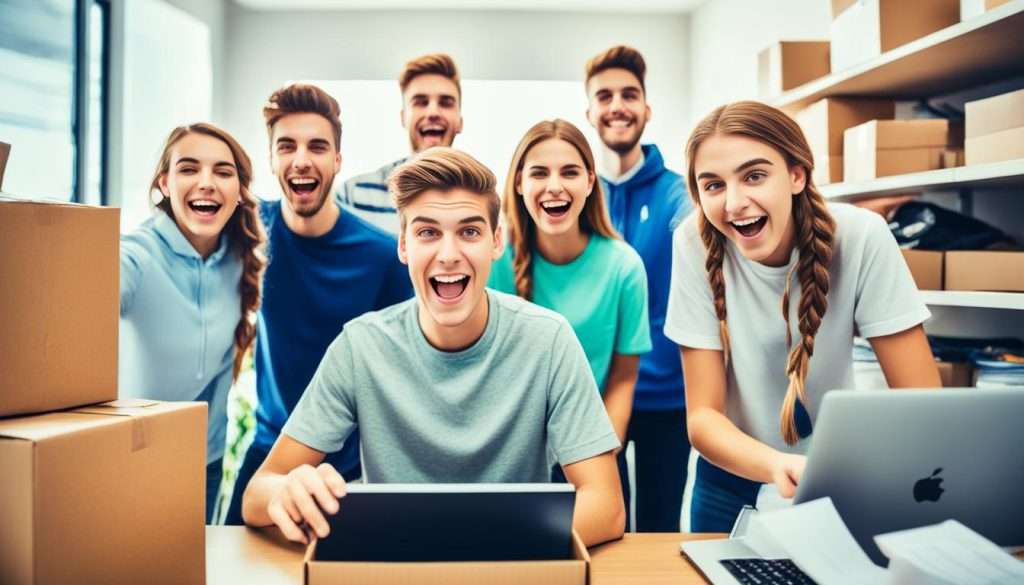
445 170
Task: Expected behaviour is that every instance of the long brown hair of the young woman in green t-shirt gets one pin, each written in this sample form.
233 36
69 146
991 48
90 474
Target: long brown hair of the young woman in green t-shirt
522 230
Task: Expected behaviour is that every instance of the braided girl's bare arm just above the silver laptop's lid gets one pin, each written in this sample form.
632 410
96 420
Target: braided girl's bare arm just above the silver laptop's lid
907 359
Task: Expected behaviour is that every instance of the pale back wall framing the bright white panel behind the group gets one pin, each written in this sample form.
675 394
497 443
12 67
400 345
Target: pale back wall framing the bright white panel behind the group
272 49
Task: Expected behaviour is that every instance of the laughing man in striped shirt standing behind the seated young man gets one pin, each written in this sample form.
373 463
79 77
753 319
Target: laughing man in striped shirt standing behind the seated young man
432 113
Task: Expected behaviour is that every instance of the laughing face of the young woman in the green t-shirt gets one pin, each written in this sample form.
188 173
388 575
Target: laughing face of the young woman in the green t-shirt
556 184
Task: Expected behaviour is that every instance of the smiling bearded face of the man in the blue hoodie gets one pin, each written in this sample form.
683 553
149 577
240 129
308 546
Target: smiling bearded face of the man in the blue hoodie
618 109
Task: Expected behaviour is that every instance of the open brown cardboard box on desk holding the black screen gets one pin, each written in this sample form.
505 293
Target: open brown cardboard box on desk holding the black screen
570 572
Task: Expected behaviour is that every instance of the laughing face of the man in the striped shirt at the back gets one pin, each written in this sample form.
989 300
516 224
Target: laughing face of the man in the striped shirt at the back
432 112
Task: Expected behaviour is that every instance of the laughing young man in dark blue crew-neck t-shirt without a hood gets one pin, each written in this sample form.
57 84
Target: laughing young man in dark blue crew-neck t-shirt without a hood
326 268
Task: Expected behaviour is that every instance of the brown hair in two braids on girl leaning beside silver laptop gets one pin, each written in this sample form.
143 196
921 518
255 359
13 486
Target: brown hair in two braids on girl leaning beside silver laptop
816 230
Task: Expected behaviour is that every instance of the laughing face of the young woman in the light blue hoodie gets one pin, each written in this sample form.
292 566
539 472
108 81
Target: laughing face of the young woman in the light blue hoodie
202 185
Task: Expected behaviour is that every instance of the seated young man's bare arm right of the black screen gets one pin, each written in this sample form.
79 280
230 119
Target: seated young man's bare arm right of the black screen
600 515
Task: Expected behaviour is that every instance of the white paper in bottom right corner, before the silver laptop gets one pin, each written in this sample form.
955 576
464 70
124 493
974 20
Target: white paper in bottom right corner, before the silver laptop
948 554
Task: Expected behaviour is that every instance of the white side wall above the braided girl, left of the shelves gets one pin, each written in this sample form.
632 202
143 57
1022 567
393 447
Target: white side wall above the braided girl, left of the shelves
727 37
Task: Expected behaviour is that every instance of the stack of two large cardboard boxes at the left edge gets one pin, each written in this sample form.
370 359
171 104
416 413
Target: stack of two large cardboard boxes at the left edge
92 491
